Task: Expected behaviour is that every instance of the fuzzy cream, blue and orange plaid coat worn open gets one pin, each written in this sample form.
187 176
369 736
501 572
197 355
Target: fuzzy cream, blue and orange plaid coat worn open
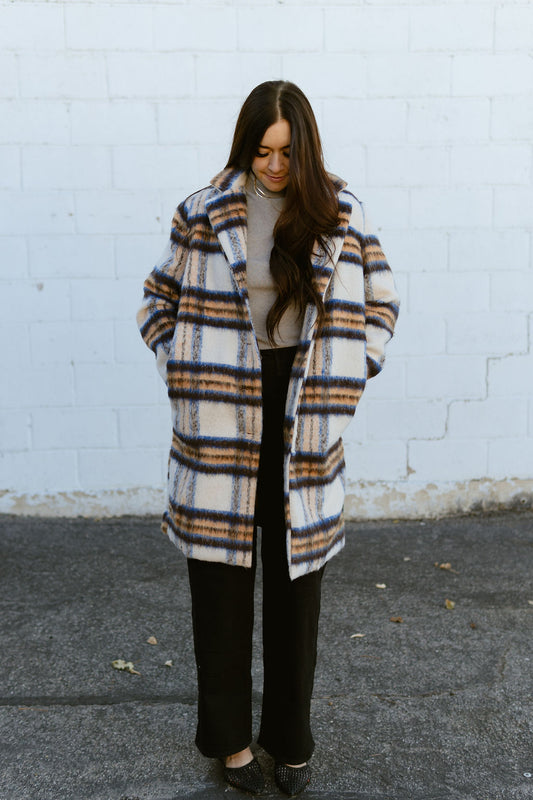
196 318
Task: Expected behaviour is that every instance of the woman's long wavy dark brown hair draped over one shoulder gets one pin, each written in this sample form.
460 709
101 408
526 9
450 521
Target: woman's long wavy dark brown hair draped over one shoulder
310 212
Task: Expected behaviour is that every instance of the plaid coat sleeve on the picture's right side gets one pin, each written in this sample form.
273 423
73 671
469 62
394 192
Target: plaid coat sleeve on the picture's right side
382 302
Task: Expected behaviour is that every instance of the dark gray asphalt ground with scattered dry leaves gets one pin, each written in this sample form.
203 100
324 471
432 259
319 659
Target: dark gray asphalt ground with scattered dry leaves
436 707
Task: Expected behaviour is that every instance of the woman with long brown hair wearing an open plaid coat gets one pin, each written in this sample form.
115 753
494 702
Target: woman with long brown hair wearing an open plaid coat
268 311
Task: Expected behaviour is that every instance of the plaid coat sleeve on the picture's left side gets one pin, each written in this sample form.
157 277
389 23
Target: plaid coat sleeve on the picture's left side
156 317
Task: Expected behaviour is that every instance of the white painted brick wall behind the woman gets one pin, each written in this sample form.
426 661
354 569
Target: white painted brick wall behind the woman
113 110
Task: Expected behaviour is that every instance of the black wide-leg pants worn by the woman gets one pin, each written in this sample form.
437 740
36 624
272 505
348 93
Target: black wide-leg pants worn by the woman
222 611
